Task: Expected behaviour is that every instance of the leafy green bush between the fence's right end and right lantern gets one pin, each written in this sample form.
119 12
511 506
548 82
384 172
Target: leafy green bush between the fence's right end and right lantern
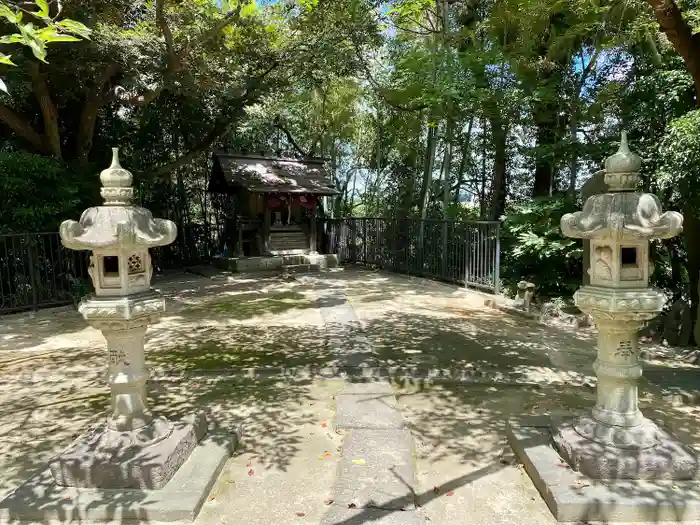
535 250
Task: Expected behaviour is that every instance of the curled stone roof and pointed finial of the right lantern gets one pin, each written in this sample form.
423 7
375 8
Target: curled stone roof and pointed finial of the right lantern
622 214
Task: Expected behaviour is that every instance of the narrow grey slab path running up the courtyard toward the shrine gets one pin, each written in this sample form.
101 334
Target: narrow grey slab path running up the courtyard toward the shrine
376 479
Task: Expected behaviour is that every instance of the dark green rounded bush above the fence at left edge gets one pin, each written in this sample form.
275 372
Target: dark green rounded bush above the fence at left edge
38 193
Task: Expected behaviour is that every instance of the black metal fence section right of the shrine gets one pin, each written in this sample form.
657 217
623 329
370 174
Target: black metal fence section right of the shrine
466 253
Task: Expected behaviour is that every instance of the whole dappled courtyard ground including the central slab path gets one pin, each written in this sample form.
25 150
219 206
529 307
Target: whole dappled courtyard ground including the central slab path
284 362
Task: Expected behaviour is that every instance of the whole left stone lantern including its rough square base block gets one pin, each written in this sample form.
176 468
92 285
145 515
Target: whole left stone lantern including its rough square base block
133 449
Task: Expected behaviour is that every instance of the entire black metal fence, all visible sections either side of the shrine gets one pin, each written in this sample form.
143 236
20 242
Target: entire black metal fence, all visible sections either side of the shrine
36 271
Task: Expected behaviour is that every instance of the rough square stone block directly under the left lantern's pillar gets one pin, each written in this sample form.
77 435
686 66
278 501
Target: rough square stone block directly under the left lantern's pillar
146 458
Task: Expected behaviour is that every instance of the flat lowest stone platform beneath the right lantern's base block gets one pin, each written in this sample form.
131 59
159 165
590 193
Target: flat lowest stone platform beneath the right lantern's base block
573 497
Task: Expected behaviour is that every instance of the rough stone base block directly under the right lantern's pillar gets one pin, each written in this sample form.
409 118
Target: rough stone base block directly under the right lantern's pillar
642 452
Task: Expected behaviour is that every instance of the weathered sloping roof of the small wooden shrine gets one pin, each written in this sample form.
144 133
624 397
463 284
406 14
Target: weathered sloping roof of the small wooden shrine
271 175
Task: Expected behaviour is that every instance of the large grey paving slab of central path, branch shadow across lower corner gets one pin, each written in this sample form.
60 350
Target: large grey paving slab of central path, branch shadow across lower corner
376 470
